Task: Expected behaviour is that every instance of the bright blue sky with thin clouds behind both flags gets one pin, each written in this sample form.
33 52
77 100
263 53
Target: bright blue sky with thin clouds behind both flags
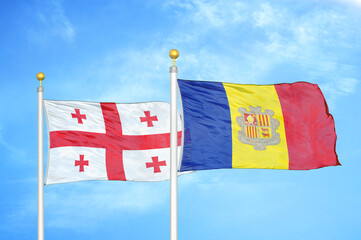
118 51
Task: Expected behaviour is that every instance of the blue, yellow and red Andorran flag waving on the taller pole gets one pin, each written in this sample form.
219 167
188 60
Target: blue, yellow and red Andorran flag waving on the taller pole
281 126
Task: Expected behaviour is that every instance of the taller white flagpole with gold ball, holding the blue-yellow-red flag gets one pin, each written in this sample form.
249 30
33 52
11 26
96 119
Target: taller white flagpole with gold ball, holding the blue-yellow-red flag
173 148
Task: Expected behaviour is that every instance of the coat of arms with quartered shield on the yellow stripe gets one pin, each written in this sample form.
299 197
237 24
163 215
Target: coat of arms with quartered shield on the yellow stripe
258 128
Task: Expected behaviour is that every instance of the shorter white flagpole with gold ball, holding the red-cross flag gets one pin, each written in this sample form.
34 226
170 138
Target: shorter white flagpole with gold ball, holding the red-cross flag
40 76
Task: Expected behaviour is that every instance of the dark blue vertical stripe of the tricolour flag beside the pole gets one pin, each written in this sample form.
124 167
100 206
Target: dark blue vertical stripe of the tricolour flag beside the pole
207 126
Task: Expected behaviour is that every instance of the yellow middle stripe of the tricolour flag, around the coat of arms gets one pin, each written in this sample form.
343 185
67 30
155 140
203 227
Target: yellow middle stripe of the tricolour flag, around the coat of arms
244 155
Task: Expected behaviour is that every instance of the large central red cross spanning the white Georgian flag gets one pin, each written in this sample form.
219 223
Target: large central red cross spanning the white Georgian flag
112 140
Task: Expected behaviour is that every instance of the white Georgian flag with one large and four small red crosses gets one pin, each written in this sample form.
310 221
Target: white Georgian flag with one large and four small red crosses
108 141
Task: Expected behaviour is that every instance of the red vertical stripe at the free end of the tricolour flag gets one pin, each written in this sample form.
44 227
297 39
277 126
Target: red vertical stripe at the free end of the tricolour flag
310 128
